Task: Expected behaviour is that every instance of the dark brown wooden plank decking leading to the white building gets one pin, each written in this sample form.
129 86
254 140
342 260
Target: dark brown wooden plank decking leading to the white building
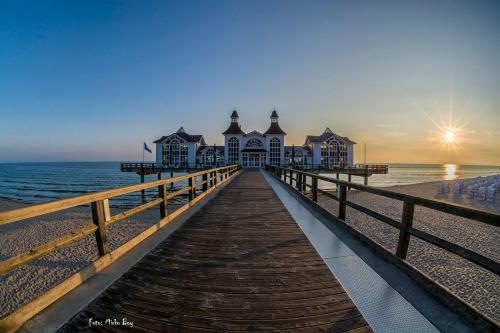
239 264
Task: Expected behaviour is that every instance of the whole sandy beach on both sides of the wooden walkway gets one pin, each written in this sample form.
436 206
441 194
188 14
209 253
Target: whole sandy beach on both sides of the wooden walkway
473 284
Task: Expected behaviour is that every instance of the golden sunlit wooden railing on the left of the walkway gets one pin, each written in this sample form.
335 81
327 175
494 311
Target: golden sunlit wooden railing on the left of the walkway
99 203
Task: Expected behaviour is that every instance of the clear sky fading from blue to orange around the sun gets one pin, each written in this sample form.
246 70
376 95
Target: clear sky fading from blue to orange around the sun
83 80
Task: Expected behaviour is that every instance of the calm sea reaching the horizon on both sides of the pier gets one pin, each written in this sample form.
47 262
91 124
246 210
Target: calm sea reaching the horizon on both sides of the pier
43 182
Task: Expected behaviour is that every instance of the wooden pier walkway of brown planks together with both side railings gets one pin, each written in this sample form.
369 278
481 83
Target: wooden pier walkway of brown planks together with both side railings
240 263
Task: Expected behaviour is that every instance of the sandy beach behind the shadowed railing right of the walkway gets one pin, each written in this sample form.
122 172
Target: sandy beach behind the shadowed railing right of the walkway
475 285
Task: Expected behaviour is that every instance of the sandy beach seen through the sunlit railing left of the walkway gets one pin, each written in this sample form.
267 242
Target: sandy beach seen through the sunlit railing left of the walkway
27 282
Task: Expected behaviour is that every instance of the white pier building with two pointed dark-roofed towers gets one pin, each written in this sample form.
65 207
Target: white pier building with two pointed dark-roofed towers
254 149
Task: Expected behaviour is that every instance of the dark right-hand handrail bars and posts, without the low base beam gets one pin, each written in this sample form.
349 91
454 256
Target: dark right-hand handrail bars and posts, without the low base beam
406 230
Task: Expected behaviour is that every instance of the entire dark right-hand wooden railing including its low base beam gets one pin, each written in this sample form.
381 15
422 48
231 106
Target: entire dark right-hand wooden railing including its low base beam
306 184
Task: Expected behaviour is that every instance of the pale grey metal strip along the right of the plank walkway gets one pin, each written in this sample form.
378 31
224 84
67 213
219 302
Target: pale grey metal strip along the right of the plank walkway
385 310
